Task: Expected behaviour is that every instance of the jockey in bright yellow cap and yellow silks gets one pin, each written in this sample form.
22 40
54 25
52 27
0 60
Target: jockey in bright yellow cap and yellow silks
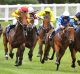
46 11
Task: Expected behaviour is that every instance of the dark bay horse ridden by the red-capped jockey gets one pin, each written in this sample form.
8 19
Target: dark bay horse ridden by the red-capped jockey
15 40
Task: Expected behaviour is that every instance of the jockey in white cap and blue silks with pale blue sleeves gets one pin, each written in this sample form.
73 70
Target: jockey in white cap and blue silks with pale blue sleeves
62 21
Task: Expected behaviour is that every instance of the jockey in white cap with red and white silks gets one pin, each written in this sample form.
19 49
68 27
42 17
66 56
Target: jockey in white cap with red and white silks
33 18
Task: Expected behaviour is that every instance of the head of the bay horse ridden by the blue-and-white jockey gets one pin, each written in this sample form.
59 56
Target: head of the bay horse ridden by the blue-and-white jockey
69 33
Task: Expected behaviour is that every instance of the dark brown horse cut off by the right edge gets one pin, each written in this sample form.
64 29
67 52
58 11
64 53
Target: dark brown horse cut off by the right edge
75 47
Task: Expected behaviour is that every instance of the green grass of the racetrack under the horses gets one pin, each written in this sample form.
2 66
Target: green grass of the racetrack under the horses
35 67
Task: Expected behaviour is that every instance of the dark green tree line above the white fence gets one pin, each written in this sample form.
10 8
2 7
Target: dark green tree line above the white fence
37 1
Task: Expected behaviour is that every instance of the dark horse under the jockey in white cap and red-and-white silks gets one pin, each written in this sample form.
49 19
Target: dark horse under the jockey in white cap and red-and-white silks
30 38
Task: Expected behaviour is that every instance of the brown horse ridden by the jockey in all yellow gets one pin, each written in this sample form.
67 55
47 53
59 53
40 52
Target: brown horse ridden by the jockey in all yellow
43 32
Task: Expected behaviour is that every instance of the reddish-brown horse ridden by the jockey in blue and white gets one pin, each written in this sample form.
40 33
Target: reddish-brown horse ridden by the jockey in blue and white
59 44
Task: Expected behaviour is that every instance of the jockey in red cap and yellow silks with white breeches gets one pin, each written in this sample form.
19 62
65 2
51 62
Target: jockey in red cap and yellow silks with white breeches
16 14
